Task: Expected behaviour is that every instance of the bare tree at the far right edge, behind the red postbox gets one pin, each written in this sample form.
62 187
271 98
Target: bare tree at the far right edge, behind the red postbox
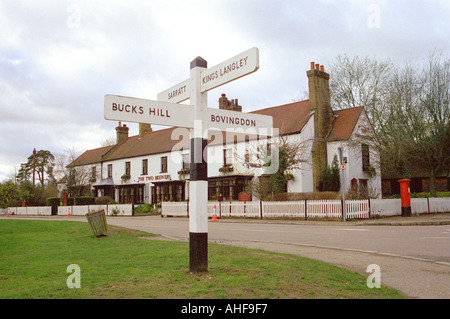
427 119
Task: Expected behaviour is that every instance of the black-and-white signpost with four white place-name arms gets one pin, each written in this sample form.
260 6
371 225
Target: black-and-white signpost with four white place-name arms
199 118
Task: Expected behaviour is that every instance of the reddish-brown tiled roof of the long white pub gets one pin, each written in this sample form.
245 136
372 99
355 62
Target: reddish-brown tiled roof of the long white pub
288 118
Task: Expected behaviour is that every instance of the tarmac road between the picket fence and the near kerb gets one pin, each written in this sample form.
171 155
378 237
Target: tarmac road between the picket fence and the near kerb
420 242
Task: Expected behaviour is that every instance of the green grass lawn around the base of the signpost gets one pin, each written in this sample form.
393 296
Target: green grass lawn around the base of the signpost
34 256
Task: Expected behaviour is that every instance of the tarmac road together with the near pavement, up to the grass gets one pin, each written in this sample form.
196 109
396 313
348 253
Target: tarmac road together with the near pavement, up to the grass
413 259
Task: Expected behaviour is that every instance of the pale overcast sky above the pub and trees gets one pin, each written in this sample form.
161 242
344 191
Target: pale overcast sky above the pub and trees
59 58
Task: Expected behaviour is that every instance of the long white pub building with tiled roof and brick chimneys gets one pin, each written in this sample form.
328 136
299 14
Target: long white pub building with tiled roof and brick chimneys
153 166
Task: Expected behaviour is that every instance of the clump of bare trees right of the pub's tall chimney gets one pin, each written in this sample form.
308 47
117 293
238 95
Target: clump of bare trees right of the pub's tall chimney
408 108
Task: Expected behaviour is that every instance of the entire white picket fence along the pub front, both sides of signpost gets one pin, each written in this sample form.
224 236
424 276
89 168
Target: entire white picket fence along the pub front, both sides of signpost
355 209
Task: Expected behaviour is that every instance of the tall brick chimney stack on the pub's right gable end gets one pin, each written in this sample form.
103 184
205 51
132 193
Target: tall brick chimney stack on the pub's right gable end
319 99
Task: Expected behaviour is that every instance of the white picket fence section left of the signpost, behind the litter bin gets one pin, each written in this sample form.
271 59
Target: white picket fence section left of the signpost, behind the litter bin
114 209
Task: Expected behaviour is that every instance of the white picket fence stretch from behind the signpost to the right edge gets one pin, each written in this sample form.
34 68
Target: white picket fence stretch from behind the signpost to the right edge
355 209
